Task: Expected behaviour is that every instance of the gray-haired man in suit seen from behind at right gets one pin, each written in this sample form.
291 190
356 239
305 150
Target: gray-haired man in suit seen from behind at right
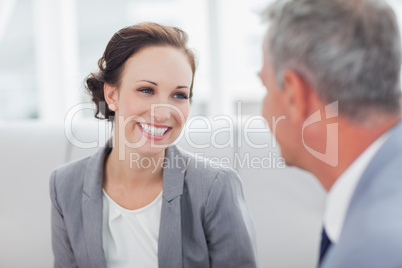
332 68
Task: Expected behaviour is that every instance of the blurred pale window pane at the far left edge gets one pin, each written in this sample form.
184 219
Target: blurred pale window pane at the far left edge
18 86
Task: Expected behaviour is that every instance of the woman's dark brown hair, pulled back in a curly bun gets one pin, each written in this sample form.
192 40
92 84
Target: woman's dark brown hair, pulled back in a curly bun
124 44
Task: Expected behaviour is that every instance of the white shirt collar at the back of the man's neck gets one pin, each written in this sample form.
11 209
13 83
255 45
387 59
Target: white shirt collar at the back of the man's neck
341 192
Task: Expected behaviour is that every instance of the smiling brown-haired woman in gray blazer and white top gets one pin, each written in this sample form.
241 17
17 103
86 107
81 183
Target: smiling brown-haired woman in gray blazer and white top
143 202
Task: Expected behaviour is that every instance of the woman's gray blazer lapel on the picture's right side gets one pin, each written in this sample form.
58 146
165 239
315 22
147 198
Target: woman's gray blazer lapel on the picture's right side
170 241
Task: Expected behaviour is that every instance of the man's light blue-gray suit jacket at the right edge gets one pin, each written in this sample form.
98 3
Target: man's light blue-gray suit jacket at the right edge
372 232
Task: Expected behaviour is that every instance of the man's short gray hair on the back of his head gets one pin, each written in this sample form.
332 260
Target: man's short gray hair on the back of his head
349 50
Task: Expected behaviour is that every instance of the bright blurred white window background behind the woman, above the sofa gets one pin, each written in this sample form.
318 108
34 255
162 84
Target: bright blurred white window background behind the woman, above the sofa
48 47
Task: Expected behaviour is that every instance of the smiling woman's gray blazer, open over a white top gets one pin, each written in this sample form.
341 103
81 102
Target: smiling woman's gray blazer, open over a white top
204 220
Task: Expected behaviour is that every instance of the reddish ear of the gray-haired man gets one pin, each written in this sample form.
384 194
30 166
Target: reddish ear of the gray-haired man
297 95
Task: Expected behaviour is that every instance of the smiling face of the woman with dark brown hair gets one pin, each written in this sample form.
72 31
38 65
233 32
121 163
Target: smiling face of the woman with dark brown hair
152 101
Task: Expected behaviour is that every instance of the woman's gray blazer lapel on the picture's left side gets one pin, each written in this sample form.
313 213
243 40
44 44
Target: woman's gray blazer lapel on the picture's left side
92 210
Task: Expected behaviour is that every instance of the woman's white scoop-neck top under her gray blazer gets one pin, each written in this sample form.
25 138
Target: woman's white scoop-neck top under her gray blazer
130 237
